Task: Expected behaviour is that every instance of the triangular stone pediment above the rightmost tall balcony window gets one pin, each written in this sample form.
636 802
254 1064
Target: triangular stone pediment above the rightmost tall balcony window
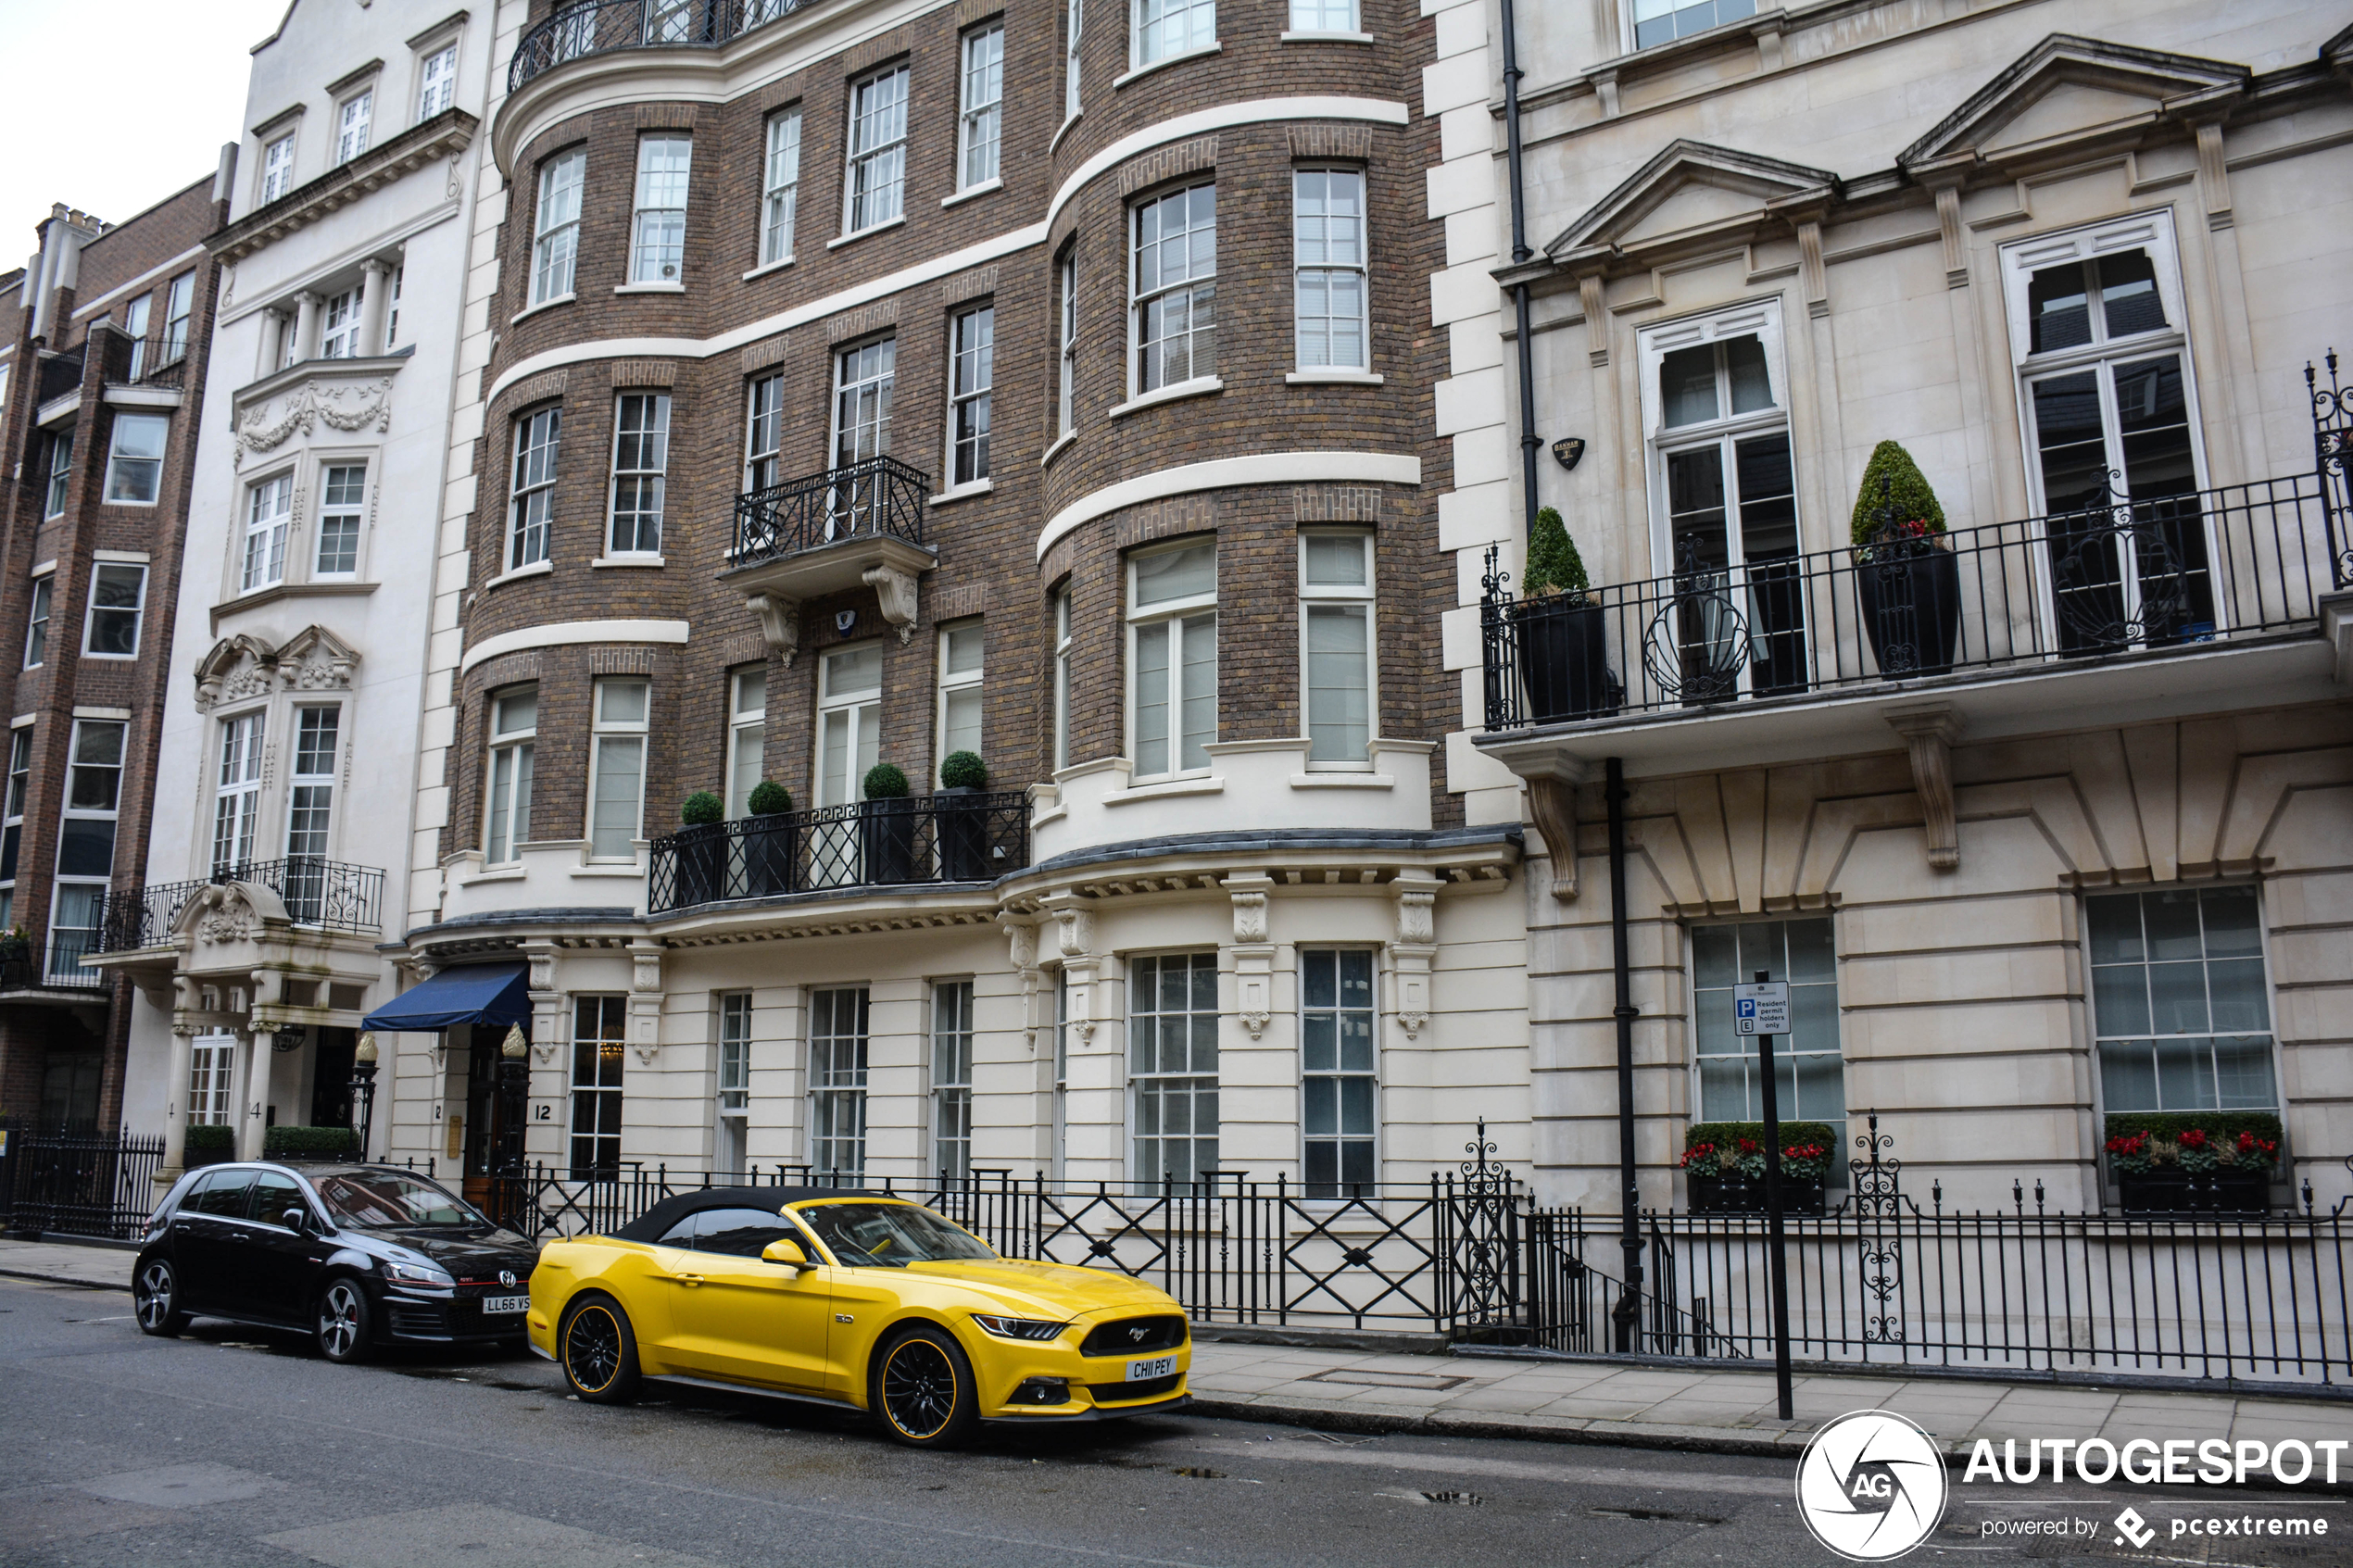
2067 91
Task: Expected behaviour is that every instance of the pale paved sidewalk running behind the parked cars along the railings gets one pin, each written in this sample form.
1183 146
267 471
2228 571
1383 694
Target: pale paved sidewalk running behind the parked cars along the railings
1594 1402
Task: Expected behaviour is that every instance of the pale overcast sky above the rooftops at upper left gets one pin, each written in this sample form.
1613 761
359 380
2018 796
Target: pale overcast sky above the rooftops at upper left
116 105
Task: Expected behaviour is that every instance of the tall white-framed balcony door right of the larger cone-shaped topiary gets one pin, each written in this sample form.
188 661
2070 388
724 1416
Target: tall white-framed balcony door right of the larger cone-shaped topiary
2112 436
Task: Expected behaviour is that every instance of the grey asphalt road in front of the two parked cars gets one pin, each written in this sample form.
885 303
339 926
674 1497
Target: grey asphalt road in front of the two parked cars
246 1449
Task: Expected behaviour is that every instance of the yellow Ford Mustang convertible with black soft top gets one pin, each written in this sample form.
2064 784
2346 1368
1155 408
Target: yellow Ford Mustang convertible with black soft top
858 1301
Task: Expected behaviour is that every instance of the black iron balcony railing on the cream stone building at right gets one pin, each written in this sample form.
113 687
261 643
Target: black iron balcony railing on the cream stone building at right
2114 579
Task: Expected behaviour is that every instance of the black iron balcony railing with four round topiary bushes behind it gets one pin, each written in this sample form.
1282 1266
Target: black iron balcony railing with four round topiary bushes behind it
876 843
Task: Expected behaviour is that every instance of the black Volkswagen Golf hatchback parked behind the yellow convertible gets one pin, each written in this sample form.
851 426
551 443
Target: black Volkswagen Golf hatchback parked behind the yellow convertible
359 1257
